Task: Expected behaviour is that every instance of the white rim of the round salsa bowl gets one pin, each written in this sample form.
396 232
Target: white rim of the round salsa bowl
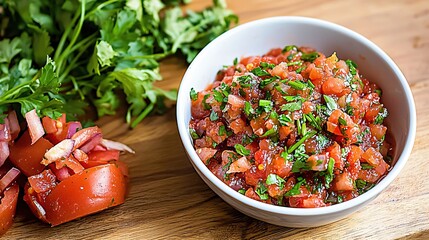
372 193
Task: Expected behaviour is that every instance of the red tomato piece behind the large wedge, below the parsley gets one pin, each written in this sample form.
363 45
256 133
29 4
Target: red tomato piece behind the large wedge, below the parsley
27 157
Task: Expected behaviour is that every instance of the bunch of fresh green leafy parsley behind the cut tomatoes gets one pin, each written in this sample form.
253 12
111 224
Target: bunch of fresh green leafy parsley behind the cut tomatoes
100 50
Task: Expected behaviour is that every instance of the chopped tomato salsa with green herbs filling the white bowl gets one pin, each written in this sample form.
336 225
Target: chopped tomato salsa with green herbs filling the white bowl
292 128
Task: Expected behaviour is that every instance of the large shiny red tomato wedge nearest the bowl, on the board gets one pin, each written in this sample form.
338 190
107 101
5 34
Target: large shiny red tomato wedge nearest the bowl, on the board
87 192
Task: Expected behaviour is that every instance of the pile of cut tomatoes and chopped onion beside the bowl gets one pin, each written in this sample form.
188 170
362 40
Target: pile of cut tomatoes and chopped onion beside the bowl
69 171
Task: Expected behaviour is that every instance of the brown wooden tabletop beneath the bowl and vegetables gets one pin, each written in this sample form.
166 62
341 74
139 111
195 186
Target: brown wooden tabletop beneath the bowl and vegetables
168 200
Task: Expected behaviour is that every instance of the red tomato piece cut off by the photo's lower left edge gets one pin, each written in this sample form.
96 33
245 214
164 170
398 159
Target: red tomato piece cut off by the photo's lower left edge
8 208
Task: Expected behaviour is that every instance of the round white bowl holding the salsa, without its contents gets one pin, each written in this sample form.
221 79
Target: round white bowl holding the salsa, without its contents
258 37
